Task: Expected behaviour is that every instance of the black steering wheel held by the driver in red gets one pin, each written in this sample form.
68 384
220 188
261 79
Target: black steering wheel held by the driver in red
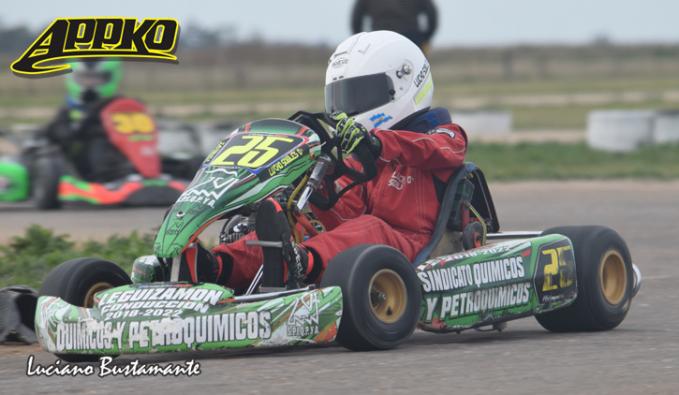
331 148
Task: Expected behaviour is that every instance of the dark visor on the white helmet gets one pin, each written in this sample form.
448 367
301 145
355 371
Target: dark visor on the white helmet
359 94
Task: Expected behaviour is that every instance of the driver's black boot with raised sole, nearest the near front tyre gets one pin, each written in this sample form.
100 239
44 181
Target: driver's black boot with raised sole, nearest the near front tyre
279 248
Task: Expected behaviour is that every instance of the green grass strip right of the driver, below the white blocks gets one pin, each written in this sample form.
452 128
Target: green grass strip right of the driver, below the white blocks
547 161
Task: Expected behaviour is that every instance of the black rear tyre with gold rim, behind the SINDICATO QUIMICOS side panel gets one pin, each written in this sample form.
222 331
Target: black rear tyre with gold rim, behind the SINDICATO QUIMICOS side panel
597 308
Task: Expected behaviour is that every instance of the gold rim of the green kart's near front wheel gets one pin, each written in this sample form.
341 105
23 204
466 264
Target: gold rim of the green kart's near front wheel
388 296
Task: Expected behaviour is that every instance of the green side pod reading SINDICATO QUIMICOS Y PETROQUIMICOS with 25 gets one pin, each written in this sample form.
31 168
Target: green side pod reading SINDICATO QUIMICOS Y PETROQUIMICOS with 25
497 283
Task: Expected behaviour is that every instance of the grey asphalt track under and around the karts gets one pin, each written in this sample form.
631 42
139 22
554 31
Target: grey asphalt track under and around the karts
641 356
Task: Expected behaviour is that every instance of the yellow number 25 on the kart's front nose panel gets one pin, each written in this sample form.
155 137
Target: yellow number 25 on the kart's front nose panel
253 151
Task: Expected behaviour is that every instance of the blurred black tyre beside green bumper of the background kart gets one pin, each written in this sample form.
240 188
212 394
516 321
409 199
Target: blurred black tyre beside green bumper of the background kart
47 171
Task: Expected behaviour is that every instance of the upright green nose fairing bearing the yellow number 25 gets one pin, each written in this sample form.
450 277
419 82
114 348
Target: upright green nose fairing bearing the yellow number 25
218 188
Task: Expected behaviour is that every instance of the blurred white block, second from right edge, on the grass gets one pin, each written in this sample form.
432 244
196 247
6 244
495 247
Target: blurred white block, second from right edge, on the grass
619 130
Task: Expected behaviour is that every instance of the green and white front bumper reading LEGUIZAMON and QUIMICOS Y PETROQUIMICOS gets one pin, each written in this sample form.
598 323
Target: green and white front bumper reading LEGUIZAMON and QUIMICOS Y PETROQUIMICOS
164 317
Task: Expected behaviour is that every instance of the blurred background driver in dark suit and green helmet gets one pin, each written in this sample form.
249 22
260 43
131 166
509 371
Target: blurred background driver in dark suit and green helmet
77 129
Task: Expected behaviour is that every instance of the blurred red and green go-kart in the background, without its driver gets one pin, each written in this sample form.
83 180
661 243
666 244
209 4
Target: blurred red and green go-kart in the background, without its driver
148 177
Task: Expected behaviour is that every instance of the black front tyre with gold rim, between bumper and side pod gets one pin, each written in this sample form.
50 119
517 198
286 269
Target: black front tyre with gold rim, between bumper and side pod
356 271
